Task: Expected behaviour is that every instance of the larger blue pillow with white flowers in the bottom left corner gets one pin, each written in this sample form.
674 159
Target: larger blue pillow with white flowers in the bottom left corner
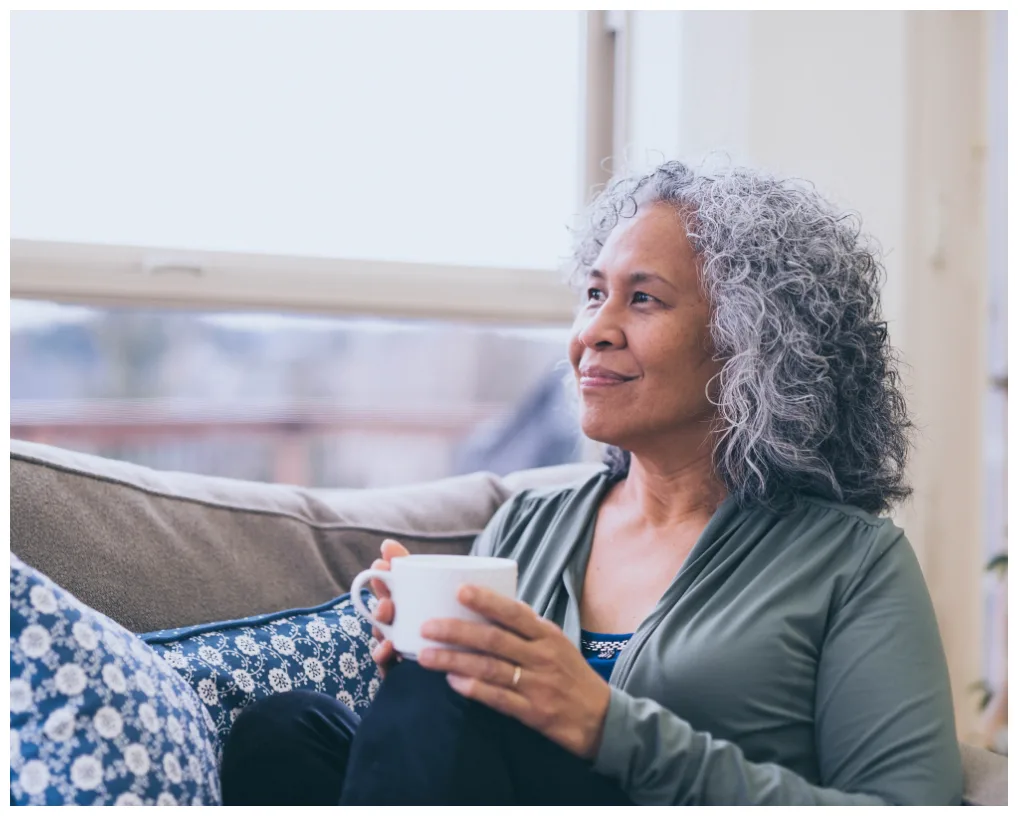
96 717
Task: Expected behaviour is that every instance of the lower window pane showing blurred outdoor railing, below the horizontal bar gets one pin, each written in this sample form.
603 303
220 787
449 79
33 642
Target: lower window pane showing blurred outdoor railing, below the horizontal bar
321 402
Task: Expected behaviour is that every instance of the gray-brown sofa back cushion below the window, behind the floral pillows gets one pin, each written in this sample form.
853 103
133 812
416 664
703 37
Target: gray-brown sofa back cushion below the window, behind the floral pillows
156 550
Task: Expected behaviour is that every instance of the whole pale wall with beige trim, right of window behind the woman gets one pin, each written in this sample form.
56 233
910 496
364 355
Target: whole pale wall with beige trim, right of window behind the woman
885 112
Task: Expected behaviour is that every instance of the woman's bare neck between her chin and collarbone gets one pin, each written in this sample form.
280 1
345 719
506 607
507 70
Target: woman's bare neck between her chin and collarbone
674 493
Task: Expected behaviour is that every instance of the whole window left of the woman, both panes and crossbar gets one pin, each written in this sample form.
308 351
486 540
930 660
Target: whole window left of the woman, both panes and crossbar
313 248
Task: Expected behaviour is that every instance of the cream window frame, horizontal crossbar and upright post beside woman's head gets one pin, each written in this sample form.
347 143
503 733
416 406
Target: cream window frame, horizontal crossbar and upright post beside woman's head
106 275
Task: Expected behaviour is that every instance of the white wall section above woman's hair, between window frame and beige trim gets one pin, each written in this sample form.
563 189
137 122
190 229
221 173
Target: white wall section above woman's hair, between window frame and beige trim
817 95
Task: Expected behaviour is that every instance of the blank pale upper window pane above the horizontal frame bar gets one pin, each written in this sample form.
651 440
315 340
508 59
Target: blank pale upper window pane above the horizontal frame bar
428 137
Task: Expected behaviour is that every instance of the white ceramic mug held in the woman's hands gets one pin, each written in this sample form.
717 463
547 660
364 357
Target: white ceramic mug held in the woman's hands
424 588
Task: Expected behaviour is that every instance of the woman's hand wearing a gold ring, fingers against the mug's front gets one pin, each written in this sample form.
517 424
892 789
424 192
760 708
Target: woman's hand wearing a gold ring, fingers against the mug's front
557 693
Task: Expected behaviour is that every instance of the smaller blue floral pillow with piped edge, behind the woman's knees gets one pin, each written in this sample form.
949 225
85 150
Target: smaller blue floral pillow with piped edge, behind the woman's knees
232 665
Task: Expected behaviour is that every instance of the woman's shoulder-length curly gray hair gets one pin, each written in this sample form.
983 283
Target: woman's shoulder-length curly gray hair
810 400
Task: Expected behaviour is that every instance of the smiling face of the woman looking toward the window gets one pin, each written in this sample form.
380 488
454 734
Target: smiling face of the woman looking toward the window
641 347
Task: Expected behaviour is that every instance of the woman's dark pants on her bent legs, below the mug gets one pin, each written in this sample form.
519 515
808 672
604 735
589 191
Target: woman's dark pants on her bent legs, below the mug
419 744
